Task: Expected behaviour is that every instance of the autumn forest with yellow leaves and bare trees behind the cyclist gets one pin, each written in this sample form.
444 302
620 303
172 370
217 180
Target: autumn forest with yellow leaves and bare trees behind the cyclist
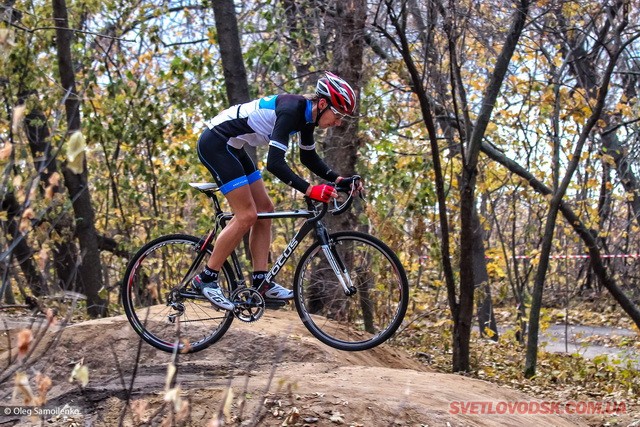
498 142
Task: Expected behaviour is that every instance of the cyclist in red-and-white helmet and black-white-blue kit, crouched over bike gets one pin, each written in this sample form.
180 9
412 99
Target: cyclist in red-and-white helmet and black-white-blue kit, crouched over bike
270 120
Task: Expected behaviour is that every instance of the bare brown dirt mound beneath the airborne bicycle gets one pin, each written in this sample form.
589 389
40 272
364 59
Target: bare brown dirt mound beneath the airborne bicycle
278 374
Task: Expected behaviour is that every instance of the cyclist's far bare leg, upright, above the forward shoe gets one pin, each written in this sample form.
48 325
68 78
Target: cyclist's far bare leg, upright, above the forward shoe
260 237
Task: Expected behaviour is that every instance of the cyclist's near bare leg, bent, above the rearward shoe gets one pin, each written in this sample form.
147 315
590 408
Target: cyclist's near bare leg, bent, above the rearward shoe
245 216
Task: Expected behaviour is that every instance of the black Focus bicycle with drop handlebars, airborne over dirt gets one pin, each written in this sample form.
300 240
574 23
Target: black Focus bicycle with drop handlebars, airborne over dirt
350 289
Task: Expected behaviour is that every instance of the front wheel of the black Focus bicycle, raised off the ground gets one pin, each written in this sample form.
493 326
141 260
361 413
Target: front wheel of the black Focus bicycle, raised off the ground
370 316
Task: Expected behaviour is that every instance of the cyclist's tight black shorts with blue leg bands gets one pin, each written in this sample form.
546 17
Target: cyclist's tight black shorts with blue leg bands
231 167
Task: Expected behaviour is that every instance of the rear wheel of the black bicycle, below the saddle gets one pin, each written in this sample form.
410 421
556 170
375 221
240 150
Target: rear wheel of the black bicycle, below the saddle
156 269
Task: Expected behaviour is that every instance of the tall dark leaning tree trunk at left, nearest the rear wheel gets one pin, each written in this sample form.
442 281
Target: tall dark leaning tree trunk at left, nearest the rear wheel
89 280
